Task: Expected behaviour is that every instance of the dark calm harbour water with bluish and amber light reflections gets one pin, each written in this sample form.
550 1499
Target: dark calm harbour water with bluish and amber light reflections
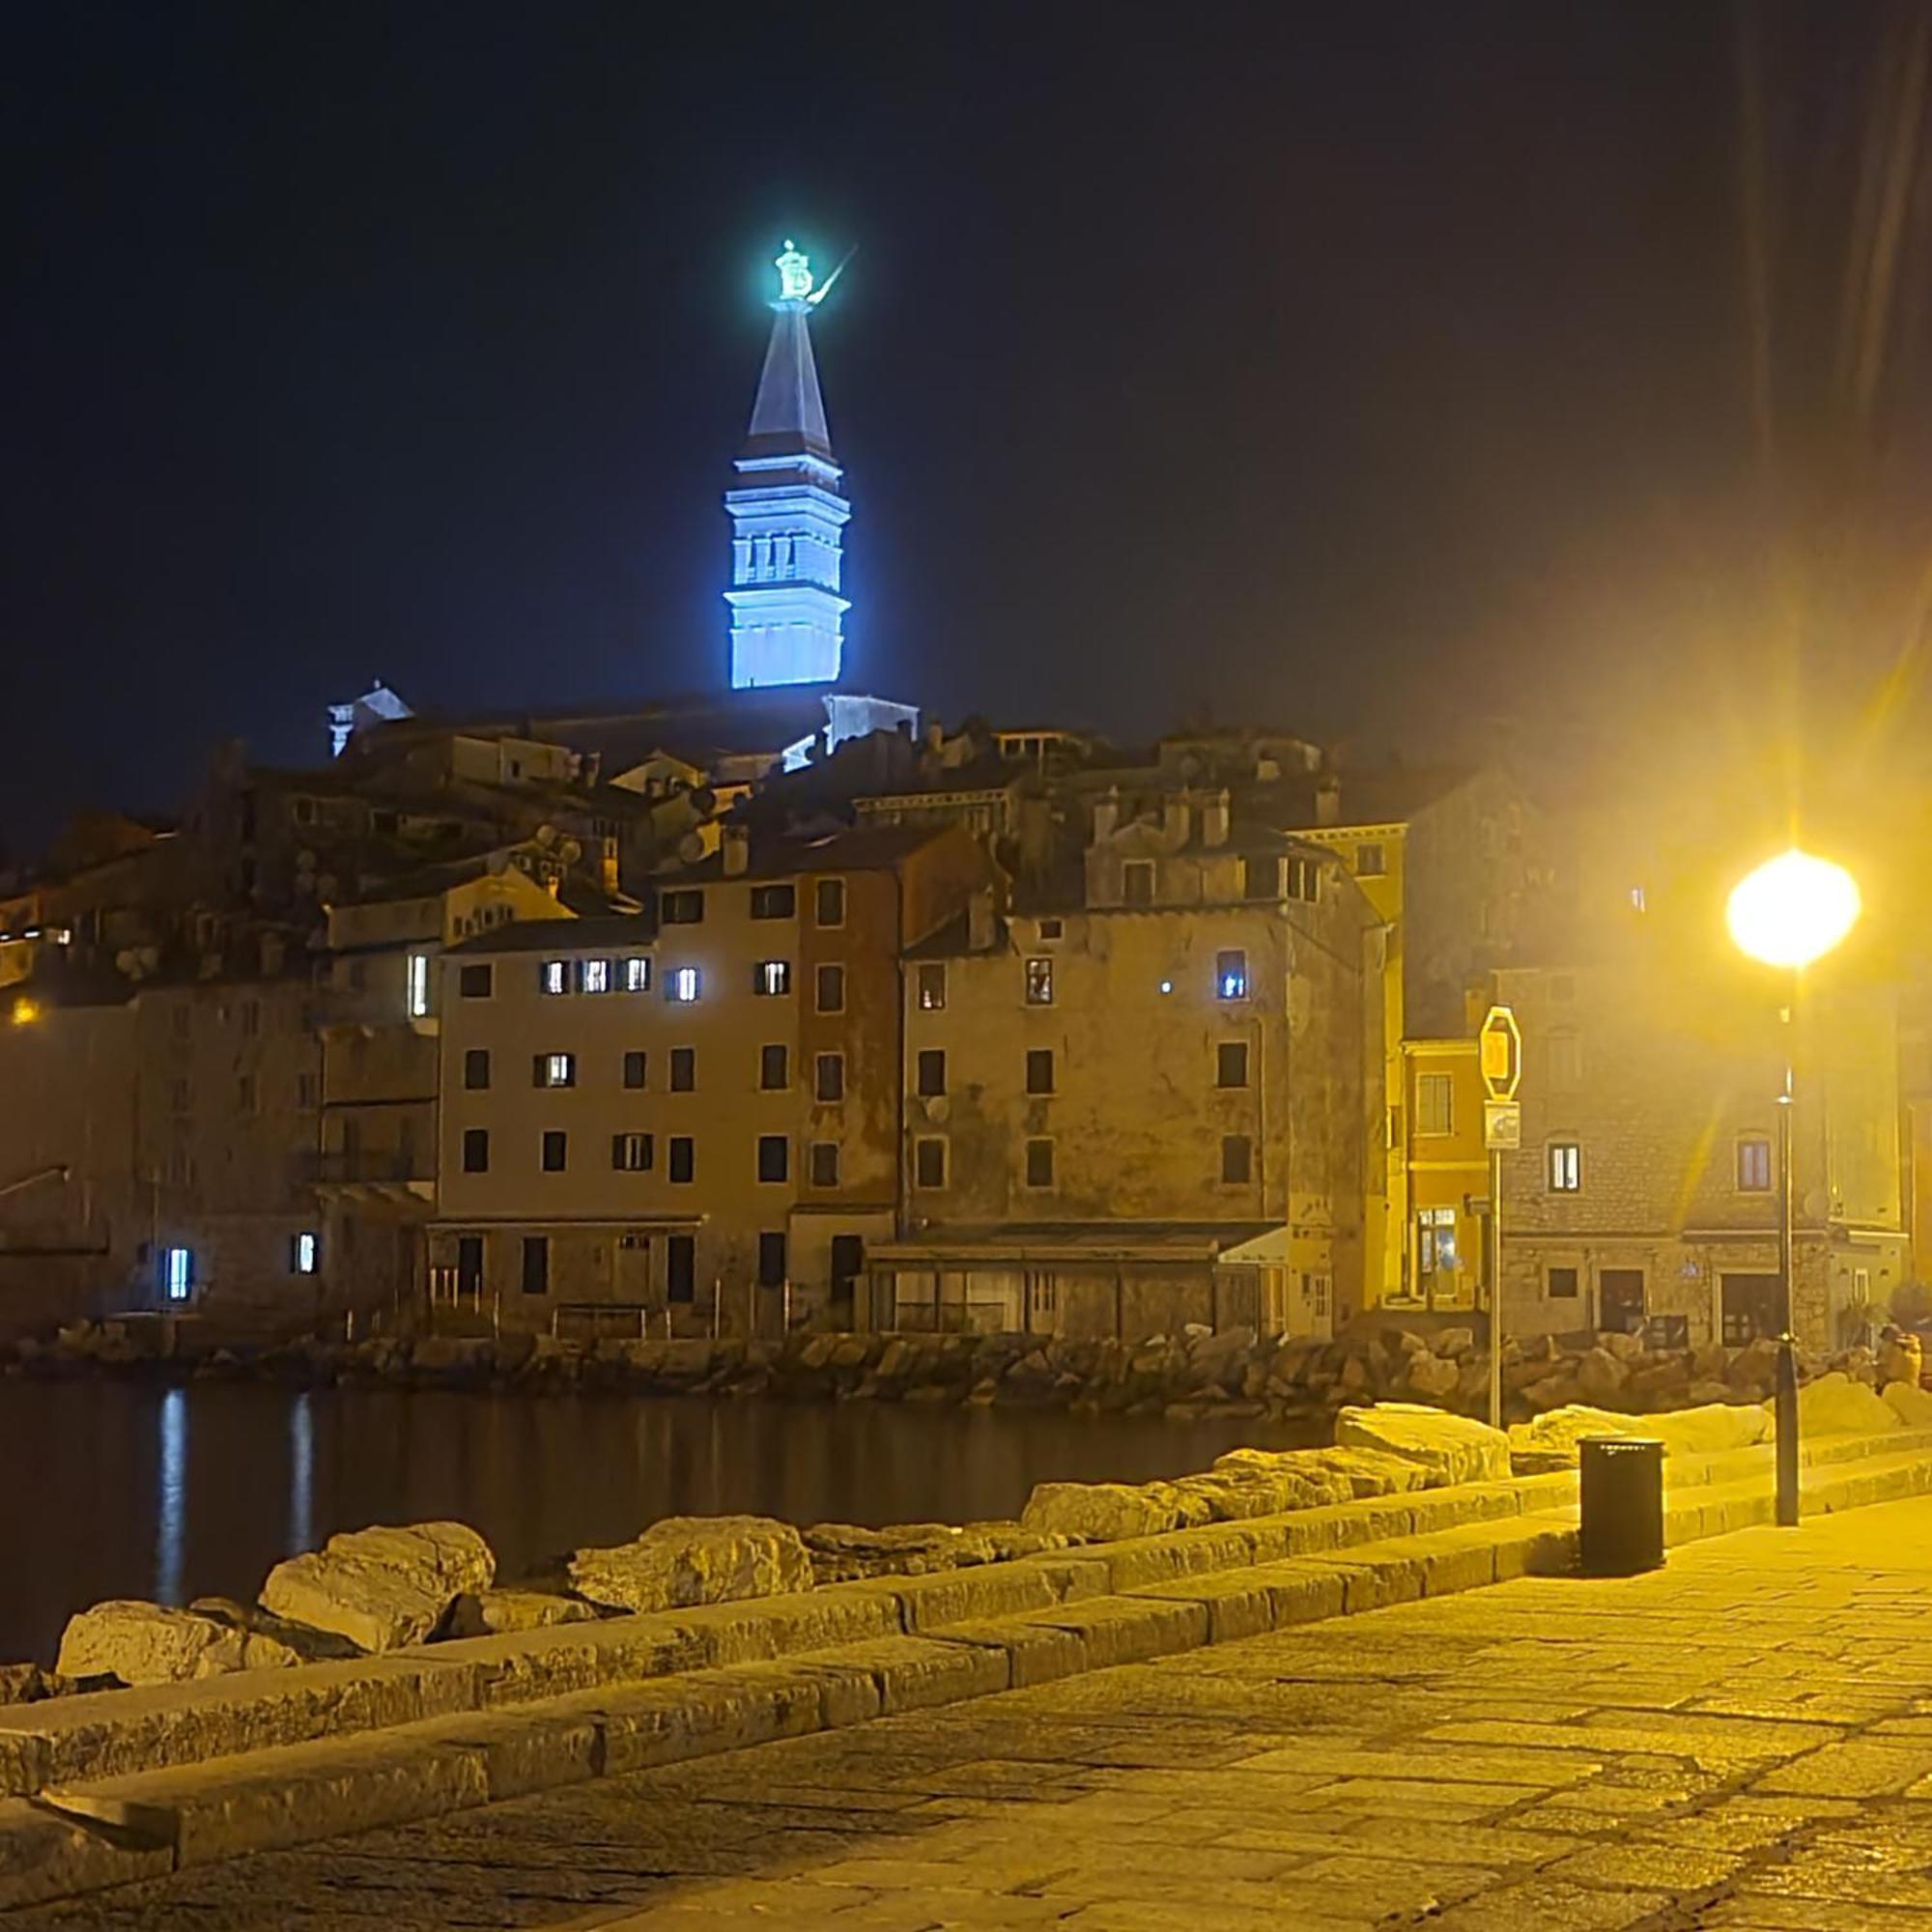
171 1494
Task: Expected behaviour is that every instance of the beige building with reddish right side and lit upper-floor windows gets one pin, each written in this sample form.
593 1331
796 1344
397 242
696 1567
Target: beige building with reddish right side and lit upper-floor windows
691 1116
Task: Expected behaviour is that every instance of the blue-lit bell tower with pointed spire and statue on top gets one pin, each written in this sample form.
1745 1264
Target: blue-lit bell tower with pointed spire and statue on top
785 509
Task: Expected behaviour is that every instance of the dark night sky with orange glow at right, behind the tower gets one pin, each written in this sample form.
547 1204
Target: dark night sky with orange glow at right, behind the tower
1365 368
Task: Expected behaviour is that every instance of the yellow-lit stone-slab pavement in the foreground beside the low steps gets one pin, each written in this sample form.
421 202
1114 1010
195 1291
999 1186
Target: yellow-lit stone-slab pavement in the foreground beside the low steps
1740 1742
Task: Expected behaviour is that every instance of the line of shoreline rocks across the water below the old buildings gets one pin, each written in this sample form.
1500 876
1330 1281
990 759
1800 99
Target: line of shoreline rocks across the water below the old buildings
1195 1373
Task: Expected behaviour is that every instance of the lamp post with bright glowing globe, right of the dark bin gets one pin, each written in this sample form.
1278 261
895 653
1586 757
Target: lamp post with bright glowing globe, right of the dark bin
1788 913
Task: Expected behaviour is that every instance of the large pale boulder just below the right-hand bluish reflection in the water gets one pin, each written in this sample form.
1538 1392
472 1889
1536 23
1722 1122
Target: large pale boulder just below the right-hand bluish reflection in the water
382 1587
